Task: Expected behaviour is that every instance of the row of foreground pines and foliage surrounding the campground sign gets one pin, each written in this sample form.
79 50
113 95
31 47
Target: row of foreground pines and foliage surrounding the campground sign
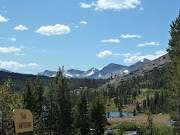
52 108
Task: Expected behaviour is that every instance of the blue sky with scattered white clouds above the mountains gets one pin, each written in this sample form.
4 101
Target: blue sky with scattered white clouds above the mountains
38 35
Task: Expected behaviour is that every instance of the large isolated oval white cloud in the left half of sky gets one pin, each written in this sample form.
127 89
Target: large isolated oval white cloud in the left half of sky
57 29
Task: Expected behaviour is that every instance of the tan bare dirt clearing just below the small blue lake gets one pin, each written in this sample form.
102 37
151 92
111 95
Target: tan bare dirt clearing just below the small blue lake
141 119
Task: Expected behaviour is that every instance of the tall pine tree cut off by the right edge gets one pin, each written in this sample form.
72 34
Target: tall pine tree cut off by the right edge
174 72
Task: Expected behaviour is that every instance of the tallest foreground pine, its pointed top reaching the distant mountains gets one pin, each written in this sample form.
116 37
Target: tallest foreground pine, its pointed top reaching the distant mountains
64 105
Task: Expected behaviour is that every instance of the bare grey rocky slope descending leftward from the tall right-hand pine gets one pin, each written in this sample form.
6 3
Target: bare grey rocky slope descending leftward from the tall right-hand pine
148 67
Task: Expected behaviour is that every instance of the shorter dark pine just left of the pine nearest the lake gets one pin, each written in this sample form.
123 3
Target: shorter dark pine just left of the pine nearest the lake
81 114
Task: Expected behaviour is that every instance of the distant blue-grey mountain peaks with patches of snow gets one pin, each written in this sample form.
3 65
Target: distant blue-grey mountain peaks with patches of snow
111 69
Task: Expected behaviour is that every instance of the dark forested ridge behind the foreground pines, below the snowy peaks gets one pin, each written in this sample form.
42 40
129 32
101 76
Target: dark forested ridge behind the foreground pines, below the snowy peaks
75 83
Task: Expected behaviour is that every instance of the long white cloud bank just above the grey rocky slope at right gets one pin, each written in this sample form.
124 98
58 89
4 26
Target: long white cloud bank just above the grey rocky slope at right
137 57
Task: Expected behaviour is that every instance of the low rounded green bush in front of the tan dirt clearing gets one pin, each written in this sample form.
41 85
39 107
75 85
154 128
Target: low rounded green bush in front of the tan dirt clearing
127 126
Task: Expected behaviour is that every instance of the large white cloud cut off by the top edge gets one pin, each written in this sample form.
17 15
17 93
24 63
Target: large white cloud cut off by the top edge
112 4
